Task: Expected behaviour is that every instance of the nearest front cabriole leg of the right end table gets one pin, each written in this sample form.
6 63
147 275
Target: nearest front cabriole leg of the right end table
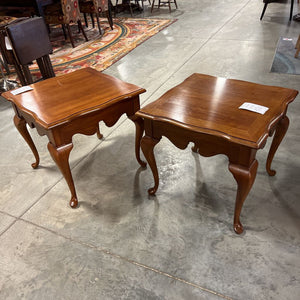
245 178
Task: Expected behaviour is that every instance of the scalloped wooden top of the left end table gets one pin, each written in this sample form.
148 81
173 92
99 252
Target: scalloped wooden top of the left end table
60 99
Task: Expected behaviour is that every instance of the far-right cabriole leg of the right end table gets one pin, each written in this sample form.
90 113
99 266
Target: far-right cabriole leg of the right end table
280 132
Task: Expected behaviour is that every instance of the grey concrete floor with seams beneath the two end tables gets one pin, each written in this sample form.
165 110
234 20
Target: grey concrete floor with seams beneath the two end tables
121 244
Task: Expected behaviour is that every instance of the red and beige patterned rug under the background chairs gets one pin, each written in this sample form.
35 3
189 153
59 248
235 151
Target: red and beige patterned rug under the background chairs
99 52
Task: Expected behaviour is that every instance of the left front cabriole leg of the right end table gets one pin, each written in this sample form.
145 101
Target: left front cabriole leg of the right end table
147 145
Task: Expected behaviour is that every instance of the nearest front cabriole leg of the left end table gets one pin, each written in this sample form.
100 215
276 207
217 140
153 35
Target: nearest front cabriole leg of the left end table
61 157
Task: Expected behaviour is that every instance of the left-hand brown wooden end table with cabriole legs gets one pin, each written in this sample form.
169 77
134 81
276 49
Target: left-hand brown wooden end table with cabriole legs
62 106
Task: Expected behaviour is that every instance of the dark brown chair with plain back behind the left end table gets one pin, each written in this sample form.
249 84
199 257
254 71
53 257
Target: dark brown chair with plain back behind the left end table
30 41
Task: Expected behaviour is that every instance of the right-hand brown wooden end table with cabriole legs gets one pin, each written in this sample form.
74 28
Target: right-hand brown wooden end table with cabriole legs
205 110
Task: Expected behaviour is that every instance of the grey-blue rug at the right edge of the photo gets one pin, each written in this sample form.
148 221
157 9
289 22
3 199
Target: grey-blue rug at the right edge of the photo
284 60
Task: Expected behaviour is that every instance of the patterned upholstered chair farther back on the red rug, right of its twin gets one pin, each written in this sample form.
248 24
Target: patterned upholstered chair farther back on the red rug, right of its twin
96 7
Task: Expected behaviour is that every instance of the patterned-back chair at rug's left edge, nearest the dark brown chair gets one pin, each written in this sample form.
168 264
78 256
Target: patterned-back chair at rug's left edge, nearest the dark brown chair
64 12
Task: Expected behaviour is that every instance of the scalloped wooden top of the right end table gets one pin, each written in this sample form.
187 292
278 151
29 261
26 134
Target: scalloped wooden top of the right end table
208 104
